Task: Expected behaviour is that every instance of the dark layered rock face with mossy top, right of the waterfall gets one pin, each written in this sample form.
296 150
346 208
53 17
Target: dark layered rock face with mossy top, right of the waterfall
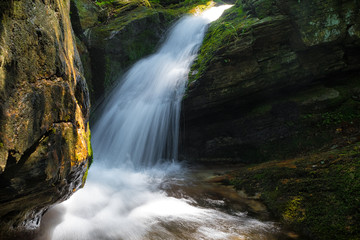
273 78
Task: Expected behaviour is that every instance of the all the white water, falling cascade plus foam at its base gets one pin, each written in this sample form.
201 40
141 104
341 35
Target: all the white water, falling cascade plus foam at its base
125 196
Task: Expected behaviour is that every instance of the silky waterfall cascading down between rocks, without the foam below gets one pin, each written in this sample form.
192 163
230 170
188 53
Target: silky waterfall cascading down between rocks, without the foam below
140 122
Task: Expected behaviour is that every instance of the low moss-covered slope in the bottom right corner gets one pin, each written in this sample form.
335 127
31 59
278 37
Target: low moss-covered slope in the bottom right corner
317 194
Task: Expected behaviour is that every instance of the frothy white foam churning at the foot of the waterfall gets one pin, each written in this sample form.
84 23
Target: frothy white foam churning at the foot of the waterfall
131 205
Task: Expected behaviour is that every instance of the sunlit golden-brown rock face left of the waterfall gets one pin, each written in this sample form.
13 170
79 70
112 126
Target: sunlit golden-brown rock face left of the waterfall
44 110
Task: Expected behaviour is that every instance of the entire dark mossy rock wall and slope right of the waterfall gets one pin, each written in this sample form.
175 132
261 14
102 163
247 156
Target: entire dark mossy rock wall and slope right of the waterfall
280 80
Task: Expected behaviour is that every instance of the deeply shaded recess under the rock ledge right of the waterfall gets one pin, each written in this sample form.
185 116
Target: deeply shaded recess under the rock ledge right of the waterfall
278 128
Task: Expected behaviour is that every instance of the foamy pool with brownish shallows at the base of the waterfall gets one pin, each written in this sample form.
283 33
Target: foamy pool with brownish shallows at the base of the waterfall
168 201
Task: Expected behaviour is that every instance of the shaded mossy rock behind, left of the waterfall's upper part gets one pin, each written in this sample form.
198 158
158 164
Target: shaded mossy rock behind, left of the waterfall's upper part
115 46
